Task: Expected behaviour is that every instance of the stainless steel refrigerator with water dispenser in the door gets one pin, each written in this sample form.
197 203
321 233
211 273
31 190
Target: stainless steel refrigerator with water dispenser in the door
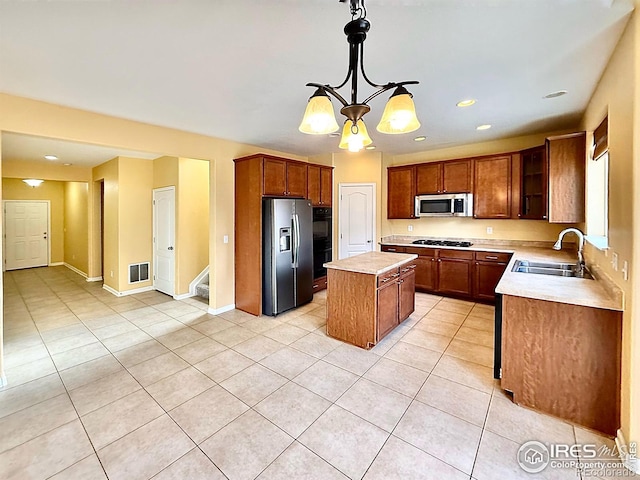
287 255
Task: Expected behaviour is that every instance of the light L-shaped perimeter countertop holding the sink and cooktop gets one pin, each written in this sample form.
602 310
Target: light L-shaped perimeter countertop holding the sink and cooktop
599 292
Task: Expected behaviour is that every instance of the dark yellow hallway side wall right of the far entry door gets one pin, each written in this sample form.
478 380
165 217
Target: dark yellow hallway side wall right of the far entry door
76 225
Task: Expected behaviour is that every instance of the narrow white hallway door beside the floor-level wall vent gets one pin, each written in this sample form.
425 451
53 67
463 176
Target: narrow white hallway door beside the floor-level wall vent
164 213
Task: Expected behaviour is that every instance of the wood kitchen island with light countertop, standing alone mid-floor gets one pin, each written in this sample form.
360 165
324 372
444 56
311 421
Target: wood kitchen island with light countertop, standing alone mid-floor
369 295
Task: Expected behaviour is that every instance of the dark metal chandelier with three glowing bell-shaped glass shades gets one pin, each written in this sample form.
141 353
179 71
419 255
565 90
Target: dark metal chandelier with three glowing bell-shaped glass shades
399 115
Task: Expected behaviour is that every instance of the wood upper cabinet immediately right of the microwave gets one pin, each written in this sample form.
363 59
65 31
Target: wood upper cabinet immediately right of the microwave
492 187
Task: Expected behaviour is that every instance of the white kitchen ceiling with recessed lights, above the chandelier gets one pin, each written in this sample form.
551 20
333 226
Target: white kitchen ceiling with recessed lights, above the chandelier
237 69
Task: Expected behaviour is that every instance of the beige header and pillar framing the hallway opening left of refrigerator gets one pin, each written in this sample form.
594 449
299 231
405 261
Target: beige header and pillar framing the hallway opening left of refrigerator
21 115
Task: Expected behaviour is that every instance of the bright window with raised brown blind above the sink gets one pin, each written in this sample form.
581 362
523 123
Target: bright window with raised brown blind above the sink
598 188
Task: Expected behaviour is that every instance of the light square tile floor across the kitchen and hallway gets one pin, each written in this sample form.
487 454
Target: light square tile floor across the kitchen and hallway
147 387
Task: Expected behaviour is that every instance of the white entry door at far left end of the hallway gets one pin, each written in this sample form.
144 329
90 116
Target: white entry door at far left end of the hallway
26 227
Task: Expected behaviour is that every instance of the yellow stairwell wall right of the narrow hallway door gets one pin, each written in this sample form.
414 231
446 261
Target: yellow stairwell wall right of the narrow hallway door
192 222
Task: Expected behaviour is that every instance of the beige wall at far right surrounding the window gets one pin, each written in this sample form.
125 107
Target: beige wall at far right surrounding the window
617 95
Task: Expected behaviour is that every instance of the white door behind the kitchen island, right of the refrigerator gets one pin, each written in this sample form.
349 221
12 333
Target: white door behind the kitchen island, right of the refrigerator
357 218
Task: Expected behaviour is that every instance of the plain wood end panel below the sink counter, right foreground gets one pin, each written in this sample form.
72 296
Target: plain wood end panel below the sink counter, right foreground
564 360
